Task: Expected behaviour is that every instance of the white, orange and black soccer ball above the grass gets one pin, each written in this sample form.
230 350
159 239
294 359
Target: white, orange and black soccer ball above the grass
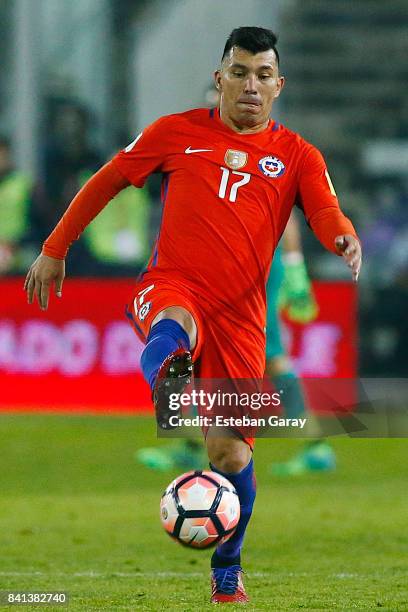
200 509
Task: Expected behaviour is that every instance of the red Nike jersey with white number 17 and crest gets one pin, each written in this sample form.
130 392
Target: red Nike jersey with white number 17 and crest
226 200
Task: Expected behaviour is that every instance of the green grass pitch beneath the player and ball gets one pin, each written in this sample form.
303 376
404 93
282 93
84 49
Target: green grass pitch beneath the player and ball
78 514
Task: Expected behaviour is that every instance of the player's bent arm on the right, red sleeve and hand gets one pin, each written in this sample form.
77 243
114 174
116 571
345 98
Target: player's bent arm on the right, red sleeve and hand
319 202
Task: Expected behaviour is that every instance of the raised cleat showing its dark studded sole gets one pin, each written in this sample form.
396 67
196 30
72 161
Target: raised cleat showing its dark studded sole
174 374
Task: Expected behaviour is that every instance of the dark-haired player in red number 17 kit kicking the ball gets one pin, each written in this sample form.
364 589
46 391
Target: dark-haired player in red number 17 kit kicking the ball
231 177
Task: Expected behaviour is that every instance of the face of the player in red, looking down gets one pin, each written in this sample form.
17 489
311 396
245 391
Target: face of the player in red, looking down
248 85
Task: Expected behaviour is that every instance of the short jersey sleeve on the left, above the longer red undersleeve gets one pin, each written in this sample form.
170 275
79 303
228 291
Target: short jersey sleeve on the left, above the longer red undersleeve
145 155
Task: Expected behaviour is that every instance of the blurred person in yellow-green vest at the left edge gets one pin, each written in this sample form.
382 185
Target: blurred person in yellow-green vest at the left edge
15 191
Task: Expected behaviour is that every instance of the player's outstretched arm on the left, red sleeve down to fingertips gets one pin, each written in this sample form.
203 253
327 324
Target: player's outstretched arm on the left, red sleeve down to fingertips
131 166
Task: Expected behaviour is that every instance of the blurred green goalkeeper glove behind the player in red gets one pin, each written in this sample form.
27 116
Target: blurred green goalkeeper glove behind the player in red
296 294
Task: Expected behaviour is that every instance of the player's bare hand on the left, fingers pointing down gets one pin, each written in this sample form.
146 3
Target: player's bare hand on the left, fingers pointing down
43 273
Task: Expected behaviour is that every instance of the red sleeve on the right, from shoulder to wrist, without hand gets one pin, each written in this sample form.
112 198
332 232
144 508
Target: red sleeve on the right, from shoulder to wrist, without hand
318 200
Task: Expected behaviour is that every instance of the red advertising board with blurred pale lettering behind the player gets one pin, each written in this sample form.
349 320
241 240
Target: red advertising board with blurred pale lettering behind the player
82 354
